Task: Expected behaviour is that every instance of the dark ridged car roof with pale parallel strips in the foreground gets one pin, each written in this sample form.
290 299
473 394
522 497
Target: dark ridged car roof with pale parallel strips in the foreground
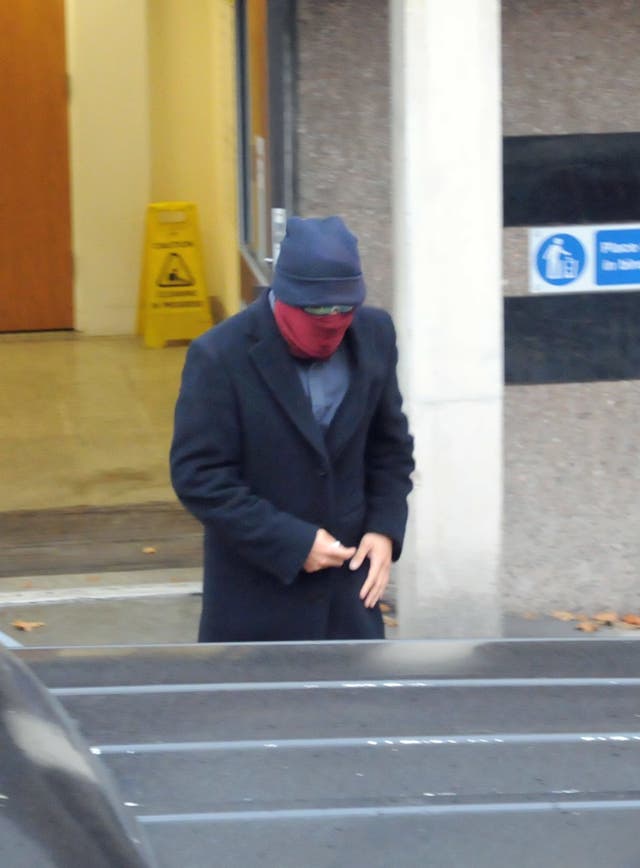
398 753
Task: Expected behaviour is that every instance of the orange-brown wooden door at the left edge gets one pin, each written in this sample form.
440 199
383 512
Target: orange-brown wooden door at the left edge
35 222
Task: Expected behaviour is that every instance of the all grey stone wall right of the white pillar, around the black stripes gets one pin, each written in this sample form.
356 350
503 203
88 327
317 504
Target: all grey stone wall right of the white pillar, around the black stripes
572 460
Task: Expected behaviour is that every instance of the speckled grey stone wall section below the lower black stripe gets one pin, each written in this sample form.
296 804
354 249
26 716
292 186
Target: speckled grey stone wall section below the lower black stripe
572 497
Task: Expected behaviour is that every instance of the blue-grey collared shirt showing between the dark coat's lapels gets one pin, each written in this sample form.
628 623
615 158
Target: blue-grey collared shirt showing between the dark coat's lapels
325 382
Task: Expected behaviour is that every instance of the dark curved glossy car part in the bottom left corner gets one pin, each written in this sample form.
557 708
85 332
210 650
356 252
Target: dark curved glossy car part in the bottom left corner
58 806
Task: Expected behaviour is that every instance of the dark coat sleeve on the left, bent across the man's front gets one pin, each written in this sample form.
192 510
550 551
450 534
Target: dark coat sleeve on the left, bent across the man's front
207 475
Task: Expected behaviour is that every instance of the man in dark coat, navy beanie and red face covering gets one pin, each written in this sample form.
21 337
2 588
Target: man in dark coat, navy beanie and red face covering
291 447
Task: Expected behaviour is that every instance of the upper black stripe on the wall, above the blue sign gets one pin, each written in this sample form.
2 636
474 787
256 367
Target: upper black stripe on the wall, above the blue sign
585 178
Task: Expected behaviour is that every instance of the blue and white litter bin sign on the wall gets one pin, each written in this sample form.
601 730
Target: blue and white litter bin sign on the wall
584 258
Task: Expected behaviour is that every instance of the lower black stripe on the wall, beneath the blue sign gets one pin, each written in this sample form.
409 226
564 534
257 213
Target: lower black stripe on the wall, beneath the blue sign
576 338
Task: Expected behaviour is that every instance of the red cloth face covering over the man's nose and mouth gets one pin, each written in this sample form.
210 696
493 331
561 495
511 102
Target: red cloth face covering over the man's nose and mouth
309 336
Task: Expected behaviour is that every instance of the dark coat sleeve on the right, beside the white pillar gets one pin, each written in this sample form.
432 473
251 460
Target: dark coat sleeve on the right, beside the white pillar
389 456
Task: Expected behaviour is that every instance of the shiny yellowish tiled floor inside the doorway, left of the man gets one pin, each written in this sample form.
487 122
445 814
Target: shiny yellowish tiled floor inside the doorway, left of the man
85 421
